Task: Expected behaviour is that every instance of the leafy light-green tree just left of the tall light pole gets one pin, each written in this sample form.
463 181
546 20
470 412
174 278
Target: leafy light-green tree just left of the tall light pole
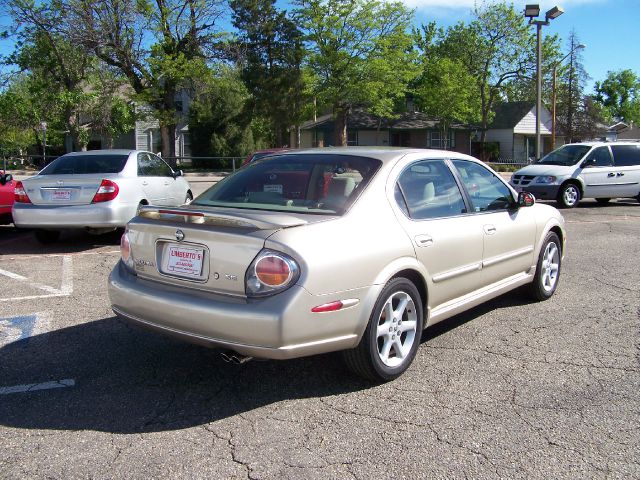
495 48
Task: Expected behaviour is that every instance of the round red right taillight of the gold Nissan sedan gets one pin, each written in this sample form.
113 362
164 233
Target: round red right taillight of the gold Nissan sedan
270 272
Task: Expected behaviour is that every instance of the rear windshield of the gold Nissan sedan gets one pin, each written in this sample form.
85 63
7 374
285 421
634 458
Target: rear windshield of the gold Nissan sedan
306 183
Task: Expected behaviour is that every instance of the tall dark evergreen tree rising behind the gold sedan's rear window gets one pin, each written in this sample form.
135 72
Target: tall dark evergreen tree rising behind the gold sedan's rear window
271 49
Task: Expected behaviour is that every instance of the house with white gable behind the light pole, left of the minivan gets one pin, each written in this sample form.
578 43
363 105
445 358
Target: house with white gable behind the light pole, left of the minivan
514 129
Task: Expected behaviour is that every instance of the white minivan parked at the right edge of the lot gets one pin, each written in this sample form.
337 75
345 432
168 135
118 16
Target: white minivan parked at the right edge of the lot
575 171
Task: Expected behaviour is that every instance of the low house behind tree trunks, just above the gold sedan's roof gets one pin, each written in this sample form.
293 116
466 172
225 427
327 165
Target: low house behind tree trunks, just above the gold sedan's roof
410 129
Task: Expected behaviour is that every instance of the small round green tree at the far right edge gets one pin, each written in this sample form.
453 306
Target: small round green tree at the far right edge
619 94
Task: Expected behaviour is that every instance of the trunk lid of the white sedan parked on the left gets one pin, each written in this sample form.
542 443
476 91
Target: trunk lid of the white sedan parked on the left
63 189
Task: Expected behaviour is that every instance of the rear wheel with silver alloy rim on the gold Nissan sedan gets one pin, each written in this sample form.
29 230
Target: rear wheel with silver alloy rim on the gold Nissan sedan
392 337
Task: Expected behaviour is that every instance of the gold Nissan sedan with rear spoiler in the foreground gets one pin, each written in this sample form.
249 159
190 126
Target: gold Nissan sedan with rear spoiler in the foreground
370 246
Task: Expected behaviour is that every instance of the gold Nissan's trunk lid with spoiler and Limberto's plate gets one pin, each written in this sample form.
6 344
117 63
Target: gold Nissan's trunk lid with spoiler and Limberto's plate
202 248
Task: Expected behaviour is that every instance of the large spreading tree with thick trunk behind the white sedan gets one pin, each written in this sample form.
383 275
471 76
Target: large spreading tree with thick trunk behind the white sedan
159 46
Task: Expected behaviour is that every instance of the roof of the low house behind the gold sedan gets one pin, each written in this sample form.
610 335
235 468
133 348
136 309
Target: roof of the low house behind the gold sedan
361 120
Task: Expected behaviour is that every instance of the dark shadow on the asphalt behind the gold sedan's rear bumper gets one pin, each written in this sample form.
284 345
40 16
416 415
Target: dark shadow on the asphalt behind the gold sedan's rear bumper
129 380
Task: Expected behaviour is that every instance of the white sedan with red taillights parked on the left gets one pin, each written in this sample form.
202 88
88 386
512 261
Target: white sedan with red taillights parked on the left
98 191
